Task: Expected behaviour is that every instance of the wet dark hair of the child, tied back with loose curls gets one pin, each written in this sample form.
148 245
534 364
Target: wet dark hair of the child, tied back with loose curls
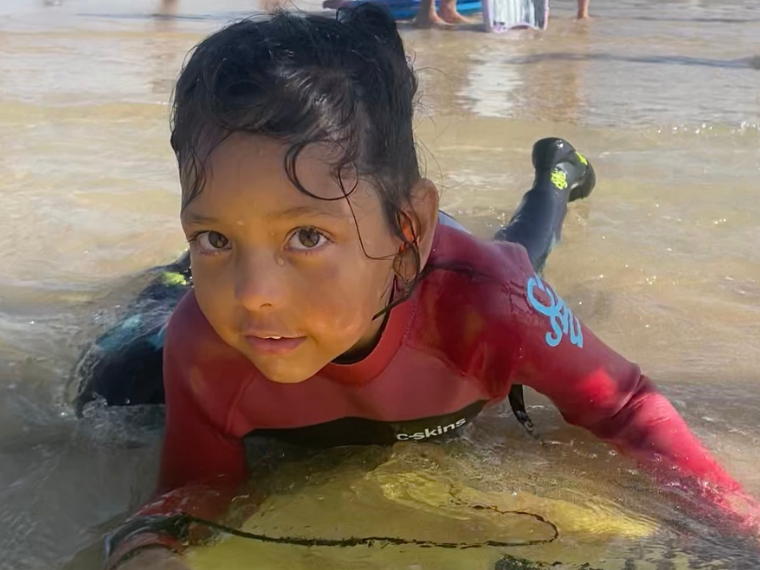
303 80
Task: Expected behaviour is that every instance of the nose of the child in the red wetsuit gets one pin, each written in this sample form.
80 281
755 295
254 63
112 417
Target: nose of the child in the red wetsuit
260 280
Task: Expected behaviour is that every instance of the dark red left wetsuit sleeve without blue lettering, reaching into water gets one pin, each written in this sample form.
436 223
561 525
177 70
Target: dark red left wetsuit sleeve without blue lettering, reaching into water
201 466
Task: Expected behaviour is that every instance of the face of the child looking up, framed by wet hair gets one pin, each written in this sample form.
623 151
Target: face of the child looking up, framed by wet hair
282 276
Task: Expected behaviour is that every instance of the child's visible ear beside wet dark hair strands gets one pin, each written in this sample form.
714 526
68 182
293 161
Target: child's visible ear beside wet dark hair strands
422 214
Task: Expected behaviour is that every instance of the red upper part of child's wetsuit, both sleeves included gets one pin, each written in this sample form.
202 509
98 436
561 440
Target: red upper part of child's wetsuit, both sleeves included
478 322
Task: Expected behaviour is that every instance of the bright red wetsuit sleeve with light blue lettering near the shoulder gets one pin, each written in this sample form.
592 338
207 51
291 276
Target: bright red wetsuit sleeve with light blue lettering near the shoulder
595 388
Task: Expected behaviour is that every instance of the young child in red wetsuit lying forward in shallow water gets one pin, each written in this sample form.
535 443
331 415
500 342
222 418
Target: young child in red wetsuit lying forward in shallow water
331 304
